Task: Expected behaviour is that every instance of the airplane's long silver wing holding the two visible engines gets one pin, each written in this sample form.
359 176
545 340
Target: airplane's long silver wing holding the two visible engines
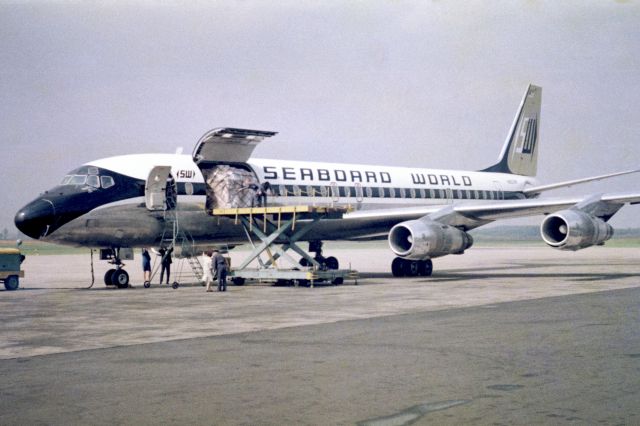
471 215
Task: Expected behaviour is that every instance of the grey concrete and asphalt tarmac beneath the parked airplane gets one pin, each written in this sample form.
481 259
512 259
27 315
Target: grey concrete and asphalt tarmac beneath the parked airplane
496 336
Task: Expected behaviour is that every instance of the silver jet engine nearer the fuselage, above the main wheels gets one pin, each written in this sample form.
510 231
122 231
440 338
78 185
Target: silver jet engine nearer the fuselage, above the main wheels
425 239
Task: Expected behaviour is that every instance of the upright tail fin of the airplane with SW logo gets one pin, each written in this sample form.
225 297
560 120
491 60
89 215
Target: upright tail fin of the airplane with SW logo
519 154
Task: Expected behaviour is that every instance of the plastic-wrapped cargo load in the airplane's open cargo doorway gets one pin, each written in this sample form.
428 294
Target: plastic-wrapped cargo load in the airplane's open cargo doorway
230 187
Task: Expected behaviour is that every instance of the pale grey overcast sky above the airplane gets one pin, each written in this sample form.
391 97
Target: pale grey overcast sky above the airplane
413 83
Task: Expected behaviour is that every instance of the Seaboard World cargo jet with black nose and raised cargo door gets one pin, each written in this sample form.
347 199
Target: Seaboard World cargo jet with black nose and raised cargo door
121 202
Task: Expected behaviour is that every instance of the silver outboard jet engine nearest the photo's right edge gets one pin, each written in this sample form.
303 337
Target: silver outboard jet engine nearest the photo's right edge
574 230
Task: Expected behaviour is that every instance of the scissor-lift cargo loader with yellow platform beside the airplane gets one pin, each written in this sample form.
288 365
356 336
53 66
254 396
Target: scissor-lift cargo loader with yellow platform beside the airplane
280 230
